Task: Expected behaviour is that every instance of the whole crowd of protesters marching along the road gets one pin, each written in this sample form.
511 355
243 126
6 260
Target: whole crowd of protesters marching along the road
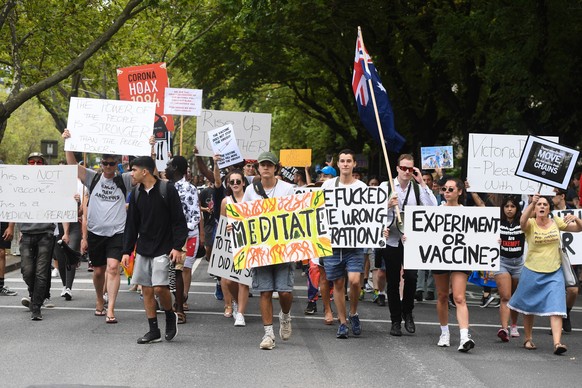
161 222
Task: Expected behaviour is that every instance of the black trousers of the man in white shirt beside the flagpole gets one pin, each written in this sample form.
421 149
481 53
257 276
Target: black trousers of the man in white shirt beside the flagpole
394 258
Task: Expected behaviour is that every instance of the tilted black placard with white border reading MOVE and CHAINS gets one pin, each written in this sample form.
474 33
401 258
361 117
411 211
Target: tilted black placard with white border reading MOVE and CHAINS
547 162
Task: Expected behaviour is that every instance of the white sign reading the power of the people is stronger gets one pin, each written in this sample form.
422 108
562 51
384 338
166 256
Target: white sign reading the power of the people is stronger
110 126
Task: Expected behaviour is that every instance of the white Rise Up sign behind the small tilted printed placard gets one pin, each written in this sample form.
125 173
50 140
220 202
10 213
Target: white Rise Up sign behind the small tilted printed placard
252 131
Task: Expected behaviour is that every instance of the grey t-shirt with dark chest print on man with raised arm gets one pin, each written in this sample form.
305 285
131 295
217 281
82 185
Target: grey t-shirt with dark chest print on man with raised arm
106 214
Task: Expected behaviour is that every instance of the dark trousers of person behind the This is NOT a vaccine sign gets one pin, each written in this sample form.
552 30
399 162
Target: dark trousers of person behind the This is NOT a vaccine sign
36 253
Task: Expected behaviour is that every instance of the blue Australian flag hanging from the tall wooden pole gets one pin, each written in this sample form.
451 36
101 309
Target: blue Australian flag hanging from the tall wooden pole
364 70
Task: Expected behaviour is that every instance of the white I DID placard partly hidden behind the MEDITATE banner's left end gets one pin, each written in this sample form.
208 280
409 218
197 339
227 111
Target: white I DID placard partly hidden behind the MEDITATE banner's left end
221 259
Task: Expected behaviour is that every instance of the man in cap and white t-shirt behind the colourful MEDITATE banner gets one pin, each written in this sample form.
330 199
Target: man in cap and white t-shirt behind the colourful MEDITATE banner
279 277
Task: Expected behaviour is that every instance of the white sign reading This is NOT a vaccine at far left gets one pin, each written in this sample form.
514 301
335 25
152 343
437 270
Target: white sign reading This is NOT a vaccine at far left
35 194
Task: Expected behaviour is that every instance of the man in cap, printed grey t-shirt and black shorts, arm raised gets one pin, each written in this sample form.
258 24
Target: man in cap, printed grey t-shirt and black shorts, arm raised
103 234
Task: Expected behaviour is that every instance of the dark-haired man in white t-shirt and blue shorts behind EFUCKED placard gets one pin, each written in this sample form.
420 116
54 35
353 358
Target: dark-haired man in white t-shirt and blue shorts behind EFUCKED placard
345 259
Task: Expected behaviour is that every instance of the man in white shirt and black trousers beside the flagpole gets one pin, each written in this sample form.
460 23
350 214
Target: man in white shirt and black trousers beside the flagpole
410 190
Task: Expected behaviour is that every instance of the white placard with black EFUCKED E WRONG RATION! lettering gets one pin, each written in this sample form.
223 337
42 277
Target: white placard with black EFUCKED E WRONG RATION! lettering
356 216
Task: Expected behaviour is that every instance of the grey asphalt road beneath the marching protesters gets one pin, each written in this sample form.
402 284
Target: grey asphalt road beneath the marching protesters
72 347
